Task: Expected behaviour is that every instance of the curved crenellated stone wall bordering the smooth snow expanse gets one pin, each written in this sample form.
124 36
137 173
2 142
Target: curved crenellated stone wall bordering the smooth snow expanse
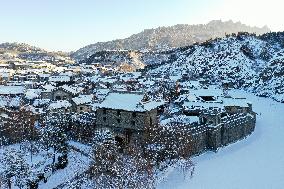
231 129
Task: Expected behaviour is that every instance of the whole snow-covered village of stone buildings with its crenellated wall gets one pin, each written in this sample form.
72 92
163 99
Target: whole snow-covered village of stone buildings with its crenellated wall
126 103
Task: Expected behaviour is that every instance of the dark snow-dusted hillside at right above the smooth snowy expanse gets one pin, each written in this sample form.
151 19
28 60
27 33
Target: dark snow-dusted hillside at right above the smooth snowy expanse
247 61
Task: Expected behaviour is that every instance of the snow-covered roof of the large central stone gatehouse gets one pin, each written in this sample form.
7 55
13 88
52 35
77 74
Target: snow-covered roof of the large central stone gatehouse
128 102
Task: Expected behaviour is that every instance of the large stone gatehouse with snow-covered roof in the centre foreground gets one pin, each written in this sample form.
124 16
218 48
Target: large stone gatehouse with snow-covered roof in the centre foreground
127 115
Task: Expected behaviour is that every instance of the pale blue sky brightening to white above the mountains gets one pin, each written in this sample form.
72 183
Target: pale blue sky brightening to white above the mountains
68 24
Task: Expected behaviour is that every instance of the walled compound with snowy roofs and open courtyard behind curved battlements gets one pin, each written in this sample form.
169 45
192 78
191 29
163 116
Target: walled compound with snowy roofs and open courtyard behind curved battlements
222 119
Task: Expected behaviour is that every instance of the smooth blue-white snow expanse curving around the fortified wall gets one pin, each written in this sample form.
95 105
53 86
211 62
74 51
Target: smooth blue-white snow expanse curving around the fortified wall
255 162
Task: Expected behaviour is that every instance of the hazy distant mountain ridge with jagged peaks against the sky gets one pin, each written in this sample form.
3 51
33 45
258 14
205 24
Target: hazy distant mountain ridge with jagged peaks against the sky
169 37
